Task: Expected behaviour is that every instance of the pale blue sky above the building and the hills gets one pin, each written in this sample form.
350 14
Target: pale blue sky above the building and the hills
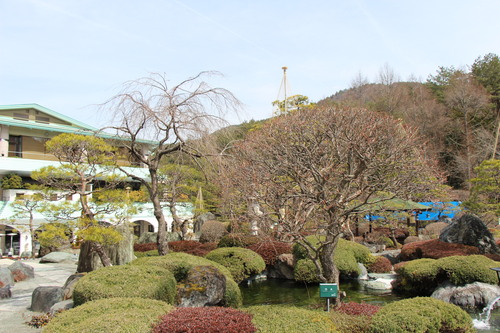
69 55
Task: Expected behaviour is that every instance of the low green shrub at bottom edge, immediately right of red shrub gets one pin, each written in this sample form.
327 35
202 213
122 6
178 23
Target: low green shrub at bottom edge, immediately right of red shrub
276 318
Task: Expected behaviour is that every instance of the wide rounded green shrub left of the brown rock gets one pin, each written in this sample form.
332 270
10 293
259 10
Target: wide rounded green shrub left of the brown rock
126 281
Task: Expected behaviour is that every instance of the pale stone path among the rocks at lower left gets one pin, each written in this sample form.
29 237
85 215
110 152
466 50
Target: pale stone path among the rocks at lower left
14 312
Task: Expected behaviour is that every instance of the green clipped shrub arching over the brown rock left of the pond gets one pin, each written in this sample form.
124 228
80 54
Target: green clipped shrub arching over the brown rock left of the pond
179 263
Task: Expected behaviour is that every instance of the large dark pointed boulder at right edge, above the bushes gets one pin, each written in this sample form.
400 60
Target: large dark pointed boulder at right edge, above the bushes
470 230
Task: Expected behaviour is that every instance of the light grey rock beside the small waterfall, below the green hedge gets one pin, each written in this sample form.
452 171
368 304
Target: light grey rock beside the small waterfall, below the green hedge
472 296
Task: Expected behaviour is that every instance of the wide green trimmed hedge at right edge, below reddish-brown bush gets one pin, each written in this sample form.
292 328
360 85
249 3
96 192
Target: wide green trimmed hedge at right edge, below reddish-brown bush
422 276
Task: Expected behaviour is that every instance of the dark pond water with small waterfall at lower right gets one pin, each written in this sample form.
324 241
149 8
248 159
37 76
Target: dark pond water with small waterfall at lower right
277 291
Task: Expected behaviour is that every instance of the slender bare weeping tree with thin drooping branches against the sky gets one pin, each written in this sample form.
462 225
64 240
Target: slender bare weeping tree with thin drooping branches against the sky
174 119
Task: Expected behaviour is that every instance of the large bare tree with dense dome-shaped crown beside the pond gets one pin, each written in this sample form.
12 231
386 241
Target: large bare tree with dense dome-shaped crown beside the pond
311 170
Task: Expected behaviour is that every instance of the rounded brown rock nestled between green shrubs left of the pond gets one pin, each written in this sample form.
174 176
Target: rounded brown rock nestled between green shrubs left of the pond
203 286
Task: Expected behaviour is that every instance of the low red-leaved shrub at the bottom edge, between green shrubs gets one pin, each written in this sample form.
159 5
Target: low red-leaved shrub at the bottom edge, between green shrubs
205 320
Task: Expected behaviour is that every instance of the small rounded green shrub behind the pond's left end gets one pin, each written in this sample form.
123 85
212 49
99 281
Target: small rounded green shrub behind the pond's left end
242 263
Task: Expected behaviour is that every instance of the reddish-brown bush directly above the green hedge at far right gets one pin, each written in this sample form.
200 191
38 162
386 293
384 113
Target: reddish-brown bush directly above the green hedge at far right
435 249
